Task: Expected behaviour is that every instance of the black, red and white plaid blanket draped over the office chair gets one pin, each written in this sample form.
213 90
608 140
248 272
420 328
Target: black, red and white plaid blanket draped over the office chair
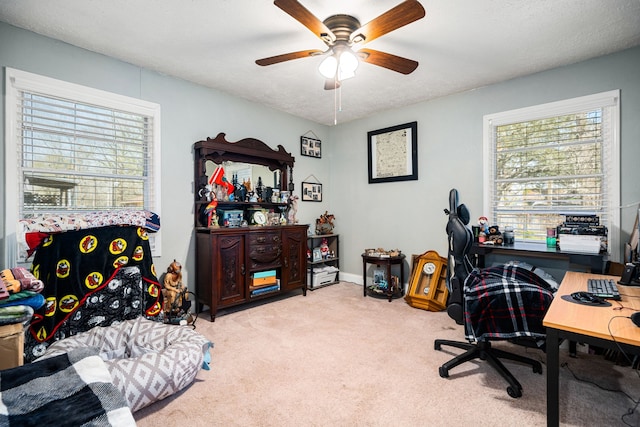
505 302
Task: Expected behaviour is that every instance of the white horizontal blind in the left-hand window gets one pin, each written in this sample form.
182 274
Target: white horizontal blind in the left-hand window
79 157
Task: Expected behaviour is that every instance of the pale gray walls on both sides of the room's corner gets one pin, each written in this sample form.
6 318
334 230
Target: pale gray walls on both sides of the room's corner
405 215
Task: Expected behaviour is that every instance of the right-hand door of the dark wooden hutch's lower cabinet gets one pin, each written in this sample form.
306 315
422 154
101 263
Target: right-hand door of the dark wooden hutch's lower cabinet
294 260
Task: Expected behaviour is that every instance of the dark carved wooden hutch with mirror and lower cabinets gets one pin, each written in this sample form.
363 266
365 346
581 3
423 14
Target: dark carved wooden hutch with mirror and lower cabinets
230 261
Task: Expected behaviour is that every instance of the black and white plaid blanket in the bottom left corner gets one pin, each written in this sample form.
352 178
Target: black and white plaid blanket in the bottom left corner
72 389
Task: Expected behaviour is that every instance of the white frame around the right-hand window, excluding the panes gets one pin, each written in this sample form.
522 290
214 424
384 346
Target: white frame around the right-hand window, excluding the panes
609 99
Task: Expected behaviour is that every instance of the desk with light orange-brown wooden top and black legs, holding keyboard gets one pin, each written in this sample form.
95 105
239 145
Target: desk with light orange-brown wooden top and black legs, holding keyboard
588 324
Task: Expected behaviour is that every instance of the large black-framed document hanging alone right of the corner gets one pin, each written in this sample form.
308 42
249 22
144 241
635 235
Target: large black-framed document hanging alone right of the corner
393 153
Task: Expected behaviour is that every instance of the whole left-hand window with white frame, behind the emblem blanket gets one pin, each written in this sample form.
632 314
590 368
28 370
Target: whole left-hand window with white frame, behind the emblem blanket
73 149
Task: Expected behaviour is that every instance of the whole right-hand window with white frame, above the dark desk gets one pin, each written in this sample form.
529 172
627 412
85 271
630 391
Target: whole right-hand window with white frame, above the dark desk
547 161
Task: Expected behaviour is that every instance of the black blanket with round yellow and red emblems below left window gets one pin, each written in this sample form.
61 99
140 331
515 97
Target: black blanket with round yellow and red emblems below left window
92 277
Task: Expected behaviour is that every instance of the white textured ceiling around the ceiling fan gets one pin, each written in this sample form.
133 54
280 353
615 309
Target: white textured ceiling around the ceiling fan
460 44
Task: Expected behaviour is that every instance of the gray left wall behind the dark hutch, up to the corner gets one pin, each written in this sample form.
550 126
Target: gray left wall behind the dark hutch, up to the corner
189 113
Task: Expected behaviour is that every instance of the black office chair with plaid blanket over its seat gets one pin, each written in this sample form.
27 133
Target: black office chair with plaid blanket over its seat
469 305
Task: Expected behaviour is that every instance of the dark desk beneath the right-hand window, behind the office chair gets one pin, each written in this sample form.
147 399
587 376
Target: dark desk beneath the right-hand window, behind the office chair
595 262
